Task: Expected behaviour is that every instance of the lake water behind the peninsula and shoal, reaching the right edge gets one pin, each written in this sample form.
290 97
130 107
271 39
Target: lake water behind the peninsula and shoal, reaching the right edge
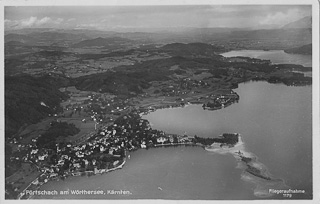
275 122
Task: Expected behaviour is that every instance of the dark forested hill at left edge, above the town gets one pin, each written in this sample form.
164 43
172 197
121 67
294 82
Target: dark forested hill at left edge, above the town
29 99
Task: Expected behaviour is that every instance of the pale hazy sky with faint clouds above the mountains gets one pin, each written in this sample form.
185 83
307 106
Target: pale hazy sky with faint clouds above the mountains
126 17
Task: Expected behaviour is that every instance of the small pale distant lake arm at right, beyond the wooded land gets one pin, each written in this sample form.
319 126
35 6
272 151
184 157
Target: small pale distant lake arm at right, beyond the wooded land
276 56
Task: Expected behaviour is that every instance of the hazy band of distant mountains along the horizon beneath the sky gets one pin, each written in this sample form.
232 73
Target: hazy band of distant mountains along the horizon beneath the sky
298 32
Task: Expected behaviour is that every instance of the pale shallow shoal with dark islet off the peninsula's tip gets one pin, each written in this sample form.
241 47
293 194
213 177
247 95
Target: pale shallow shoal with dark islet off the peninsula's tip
253 171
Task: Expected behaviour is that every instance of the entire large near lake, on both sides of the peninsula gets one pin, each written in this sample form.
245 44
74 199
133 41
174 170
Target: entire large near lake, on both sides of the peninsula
275 124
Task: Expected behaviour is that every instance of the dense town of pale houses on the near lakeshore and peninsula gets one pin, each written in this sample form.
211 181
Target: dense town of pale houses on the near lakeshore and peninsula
104 151
